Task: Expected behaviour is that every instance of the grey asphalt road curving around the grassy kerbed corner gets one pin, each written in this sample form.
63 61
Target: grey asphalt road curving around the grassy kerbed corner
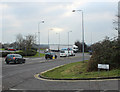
21 76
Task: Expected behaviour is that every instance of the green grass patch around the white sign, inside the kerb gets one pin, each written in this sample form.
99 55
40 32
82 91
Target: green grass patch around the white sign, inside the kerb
78 70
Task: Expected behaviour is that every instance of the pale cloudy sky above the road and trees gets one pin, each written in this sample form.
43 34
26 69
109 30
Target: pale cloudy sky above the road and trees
24 17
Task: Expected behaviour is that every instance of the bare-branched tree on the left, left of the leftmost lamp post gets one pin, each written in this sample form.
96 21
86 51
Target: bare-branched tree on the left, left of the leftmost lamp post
26 44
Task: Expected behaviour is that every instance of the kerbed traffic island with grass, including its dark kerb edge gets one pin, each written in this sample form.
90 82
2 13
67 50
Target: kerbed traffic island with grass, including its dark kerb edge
77 71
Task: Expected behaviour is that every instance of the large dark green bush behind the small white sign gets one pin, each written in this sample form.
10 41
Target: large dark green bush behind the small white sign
105 52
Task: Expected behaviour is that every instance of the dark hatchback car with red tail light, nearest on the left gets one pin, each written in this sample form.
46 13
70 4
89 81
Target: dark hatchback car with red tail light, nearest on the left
14 58
